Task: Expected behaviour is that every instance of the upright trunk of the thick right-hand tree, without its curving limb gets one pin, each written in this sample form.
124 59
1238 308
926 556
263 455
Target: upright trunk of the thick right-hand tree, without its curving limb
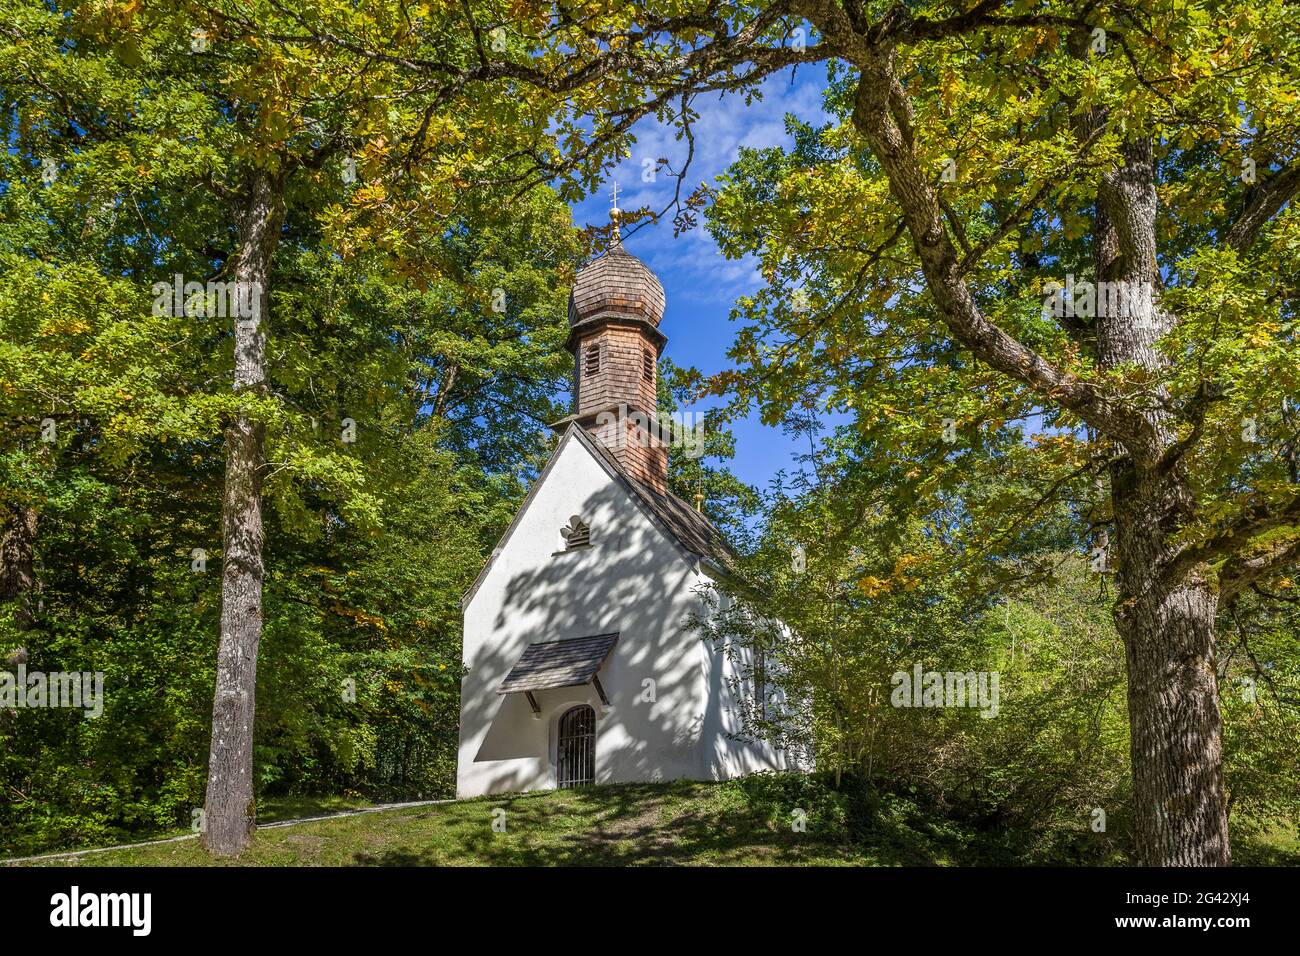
1168 626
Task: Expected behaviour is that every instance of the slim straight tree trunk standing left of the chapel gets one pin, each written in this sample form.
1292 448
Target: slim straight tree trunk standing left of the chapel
229 814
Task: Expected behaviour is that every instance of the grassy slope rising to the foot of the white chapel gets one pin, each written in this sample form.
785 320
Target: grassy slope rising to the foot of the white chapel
651 824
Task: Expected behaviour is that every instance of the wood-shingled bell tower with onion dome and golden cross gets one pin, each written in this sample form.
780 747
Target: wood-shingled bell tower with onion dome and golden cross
614 334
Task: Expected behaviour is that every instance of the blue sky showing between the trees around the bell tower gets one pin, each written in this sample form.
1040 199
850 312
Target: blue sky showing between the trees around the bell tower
700 284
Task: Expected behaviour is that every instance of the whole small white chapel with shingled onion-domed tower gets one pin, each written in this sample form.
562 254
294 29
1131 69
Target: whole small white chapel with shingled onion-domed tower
579 664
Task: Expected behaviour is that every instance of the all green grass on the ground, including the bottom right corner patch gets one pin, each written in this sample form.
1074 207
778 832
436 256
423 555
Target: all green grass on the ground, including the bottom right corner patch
674 824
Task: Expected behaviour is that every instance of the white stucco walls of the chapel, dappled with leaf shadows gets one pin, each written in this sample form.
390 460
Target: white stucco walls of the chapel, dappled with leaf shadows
634 579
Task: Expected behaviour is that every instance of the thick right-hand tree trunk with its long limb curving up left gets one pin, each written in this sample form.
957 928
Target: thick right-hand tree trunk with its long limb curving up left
1168 628
